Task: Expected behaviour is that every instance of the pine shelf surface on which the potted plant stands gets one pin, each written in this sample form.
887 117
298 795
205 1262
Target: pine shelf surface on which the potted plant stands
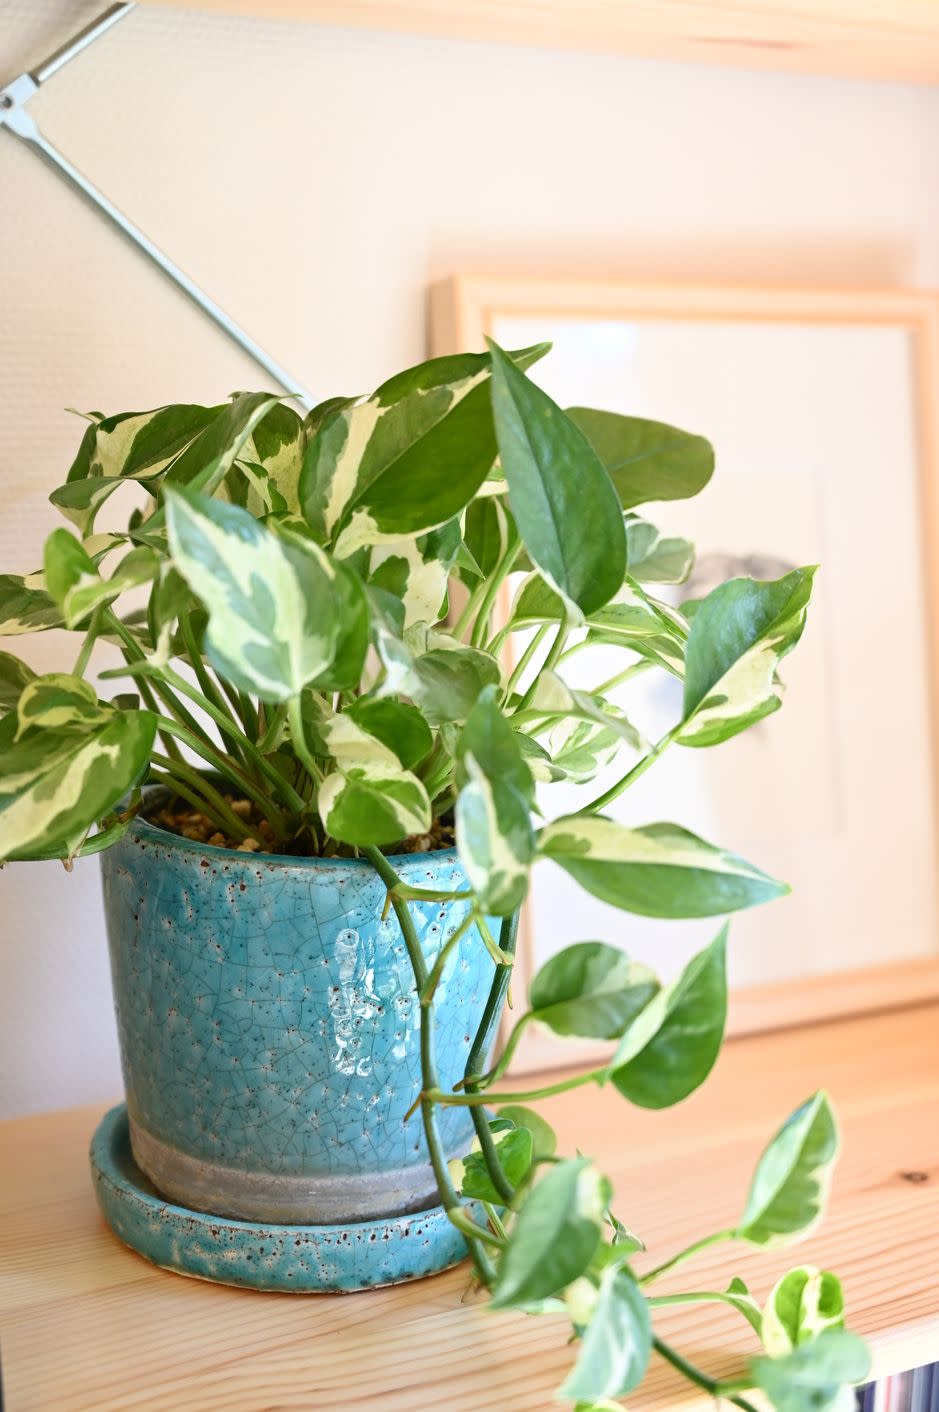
90 1325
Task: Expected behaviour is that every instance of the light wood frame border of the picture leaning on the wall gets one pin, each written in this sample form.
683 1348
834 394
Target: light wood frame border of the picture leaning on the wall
462 313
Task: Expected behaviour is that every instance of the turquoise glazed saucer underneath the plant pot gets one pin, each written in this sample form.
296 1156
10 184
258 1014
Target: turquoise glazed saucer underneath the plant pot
255 1256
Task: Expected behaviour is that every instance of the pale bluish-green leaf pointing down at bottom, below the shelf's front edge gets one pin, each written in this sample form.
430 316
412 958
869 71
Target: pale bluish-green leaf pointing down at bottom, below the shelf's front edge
618 1344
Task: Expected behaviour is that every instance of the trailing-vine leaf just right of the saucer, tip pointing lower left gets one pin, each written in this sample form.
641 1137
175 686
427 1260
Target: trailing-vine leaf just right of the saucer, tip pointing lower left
556 1235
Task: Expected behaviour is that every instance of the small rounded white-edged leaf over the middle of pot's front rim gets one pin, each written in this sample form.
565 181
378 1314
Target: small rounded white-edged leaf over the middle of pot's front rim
373 804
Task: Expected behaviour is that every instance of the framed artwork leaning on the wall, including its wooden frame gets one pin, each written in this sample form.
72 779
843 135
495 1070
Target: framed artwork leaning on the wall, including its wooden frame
823 410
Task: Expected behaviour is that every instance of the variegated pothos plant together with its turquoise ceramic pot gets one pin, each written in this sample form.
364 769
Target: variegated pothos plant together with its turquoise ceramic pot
317 815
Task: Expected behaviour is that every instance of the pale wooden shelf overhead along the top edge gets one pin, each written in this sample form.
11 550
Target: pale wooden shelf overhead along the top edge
863 39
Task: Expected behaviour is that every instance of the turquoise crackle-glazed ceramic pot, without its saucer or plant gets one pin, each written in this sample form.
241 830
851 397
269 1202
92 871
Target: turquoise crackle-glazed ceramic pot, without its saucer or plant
270 1030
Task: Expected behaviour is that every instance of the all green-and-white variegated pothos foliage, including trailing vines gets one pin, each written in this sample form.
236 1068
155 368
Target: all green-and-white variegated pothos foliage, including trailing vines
310 615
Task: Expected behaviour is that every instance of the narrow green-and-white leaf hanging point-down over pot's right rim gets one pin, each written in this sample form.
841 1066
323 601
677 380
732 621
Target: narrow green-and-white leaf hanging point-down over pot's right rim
495 834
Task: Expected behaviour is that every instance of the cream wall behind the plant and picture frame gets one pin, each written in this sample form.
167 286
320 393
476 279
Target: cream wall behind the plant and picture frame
314 181
